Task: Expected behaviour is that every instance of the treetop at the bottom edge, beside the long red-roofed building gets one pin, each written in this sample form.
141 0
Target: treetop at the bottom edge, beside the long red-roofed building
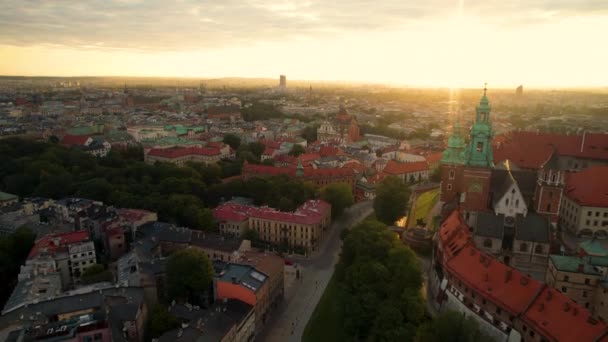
451 326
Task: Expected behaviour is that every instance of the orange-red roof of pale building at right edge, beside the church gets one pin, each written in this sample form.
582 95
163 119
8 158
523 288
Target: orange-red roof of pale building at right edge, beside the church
589 187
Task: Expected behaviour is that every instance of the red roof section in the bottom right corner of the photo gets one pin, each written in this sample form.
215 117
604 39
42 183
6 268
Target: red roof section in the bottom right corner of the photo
559 317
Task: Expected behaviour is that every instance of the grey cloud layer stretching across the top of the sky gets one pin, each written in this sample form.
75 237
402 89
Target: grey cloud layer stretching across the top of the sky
200 24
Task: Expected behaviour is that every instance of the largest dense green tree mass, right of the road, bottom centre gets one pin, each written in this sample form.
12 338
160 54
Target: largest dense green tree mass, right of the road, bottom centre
379 280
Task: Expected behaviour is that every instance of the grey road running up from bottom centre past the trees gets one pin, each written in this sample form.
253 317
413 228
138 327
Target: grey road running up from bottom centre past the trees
290 318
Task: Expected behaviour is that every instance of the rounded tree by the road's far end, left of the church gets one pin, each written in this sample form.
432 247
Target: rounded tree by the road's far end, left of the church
391 200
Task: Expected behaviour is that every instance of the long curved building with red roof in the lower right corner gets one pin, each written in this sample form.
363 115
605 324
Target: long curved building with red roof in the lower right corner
506 298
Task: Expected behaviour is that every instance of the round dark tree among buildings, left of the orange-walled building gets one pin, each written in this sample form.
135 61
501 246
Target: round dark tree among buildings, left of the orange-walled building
189 274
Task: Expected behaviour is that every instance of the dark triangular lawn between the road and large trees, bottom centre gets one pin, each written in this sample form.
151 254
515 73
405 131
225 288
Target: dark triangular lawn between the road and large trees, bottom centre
325 323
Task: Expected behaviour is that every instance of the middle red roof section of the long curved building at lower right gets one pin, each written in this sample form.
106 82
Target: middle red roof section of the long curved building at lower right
501 284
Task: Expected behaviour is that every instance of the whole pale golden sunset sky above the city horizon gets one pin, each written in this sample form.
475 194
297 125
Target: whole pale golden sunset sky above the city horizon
455 43
